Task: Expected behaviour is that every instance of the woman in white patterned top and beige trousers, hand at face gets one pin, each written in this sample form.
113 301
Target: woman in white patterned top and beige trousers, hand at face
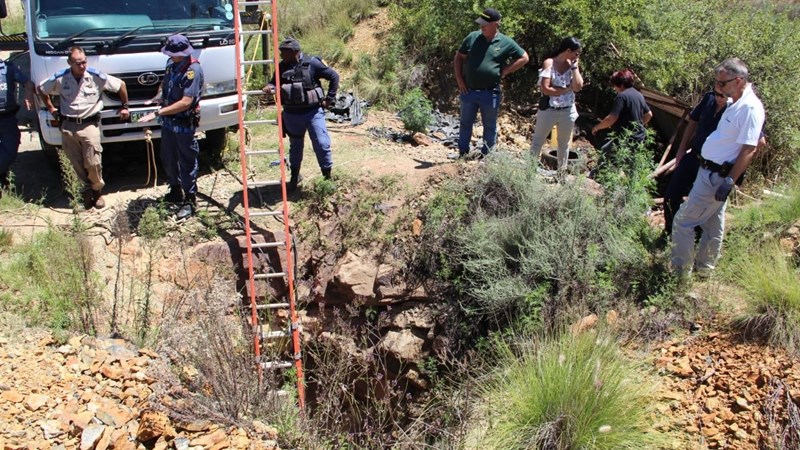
559 79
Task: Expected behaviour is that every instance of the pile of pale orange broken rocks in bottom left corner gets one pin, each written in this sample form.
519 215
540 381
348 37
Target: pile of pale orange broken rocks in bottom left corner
97 394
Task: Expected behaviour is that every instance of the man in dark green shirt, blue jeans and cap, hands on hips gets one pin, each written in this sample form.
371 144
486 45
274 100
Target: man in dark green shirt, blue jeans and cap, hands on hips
485 57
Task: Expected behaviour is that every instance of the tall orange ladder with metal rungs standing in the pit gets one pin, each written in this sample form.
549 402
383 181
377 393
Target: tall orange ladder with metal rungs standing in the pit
262 310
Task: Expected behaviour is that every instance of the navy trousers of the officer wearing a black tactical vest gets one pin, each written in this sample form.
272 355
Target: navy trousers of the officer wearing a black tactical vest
296 124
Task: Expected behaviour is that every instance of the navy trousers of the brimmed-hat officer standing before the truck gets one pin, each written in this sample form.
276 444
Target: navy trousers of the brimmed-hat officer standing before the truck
179 155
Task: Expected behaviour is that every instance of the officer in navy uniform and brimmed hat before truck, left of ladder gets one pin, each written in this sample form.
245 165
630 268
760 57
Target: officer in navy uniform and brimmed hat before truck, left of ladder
180 116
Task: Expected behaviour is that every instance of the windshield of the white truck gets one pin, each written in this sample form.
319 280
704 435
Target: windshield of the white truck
87 19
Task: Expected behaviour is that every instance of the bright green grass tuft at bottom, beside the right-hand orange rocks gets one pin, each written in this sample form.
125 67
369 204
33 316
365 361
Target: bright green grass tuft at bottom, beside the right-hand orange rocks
574 392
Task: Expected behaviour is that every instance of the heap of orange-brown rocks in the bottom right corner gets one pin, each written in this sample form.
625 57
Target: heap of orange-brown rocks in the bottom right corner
722 391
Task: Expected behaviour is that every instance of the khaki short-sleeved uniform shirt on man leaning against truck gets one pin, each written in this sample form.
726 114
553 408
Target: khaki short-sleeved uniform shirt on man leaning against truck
80 98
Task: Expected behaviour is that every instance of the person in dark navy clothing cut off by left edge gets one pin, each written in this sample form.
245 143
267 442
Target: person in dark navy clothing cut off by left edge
10 136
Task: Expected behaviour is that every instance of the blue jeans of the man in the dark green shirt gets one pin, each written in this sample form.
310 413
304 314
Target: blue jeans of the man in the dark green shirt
488 102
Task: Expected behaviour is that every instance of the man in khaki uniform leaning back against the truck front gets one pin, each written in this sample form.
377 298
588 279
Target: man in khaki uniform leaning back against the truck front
80 88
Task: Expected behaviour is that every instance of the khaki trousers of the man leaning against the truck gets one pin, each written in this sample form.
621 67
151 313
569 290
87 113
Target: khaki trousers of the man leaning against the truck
81 144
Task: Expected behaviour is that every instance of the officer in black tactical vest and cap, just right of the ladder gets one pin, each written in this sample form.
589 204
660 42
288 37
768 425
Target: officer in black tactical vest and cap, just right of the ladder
303 105
